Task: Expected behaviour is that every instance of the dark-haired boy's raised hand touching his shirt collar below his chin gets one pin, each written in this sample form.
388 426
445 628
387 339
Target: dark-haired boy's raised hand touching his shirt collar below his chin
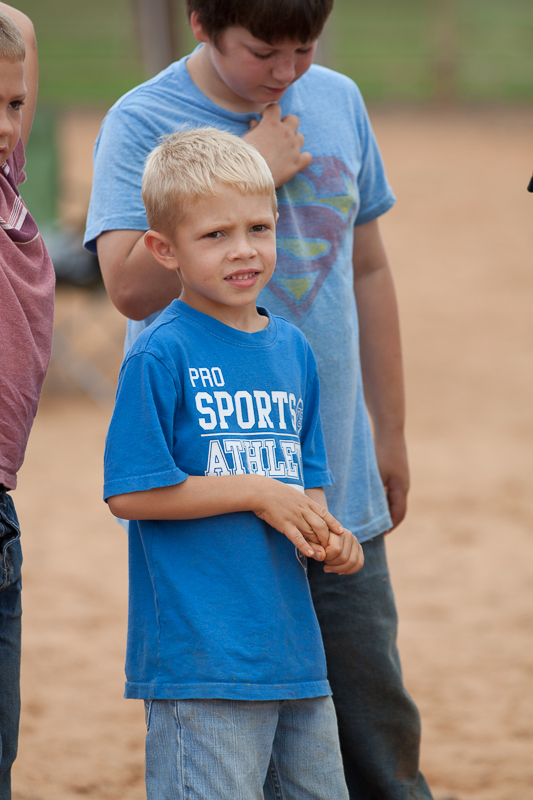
279 142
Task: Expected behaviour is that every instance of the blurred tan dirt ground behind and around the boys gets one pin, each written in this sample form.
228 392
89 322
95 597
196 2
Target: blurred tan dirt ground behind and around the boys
462 564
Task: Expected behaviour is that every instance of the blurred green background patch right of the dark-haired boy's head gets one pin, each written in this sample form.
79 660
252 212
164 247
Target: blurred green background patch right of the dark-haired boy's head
403 50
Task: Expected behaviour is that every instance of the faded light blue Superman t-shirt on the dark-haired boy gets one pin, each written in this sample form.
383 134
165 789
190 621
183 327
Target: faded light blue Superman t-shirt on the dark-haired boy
312 286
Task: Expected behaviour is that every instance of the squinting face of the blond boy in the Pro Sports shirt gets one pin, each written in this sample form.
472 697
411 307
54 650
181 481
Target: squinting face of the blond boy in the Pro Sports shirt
224 250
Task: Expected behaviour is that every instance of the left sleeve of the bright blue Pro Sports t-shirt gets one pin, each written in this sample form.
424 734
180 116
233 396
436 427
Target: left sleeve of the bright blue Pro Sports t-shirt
140 441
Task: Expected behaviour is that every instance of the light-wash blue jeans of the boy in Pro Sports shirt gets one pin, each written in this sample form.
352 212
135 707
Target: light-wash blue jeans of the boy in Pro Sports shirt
227 750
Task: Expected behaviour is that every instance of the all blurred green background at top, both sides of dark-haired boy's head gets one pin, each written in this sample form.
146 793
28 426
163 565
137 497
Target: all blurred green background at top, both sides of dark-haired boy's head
399 50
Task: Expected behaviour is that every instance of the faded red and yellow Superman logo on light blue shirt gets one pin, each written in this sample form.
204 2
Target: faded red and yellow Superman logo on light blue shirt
315 208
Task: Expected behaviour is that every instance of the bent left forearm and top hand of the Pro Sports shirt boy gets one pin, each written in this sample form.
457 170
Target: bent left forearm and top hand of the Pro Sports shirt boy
291 512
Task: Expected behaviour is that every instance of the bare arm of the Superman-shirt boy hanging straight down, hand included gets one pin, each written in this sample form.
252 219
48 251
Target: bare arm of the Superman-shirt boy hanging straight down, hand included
381 362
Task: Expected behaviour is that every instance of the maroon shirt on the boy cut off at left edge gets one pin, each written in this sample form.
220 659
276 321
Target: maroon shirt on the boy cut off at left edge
26 316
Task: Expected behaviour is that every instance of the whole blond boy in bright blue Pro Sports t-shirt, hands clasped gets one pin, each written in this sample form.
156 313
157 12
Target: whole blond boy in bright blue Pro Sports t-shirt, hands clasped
215 452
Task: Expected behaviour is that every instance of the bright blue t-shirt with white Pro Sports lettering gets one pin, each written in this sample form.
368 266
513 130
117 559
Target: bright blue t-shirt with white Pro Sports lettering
219 607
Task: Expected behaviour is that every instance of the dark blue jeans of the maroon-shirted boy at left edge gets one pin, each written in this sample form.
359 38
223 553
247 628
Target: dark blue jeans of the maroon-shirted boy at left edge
10 614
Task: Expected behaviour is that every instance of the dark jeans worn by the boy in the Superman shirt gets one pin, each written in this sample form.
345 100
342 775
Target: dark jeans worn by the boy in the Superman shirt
379 725
